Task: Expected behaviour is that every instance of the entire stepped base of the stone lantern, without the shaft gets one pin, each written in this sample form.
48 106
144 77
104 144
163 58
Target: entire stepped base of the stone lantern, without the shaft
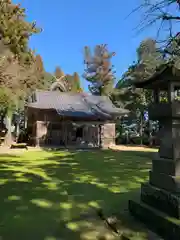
159 205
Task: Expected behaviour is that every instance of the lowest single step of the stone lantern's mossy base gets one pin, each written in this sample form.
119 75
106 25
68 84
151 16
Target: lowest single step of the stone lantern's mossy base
165 226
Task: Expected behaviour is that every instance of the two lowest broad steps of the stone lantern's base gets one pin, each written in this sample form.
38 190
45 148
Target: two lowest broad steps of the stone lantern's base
159 210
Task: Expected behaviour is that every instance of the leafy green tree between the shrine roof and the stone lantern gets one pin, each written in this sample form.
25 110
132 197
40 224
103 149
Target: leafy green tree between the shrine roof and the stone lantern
148 59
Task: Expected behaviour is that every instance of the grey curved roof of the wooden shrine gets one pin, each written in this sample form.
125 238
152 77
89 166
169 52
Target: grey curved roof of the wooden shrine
76 105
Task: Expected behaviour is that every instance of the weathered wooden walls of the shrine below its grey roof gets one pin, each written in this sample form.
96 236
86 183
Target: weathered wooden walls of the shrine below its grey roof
48 128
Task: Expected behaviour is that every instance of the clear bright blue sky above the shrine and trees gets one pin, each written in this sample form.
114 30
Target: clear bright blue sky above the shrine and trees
69 25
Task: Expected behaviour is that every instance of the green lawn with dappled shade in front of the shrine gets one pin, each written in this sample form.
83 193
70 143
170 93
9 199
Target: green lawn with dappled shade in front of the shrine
45 194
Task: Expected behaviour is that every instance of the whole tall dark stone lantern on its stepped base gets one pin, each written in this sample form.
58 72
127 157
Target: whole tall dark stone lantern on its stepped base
159 205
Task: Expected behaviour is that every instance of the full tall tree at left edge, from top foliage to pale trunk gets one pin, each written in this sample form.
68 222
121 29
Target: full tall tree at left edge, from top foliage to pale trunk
16 57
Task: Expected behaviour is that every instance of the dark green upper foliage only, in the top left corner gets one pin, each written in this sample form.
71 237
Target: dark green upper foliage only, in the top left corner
15 30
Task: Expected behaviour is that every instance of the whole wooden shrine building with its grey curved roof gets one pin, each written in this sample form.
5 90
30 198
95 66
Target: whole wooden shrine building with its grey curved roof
72 120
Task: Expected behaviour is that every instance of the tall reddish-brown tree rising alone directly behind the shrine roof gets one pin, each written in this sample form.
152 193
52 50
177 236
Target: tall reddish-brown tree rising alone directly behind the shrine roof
99 70
